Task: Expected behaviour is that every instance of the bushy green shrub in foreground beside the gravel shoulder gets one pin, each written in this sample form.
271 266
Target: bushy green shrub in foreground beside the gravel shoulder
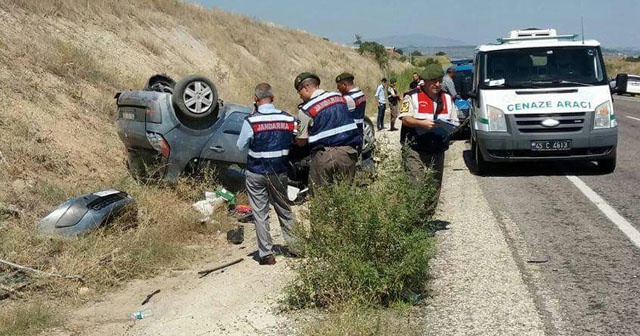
366 246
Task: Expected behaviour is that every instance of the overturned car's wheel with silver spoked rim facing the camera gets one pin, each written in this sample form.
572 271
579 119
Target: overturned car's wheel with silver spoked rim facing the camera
195 97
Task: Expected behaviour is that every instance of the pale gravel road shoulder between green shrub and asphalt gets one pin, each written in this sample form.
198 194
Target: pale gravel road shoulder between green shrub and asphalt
477 286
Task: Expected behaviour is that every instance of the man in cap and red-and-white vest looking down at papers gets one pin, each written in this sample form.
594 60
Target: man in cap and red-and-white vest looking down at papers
424 142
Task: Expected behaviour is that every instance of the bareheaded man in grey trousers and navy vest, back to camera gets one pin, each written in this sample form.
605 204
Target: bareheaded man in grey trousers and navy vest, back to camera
269 134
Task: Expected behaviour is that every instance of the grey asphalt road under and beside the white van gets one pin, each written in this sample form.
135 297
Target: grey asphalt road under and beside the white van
582 270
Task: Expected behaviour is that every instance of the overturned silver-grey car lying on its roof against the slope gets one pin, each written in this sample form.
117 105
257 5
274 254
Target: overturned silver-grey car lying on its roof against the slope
173 128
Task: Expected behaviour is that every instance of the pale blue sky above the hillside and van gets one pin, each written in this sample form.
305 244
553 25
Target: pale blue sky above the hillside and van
612 22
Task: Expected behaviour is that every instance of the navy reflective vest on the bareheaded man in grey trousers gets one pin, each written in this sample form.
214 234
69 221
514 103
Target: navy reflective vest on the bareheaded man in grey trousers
269 148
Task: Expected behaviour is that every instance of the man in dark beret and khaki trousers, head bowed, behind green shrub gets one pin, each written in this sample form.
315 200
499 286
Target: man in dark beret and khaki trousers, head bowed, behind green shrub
327 126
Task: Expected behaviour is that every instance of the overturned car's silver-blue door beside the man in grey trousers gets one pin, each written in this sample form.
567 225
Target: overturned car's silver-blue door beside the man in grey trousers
221 146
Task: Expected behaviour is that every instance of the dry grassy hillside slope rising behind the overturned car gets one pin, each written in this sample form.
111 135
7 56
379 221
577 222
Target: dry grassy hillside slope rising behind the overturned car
62 61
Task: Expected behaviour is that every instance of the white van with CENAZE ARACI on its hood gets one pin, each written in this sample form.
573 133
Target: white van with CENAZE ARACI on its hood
542 96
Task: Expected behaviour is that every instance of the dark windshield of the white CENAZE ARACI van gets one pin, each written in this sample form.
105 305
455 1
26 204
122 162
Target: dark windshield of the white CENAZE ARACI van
542 67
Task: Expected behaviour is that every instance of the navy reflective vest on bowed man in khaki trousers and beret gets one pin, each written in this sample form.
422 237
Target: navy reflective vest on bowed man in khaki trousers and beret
333 124
